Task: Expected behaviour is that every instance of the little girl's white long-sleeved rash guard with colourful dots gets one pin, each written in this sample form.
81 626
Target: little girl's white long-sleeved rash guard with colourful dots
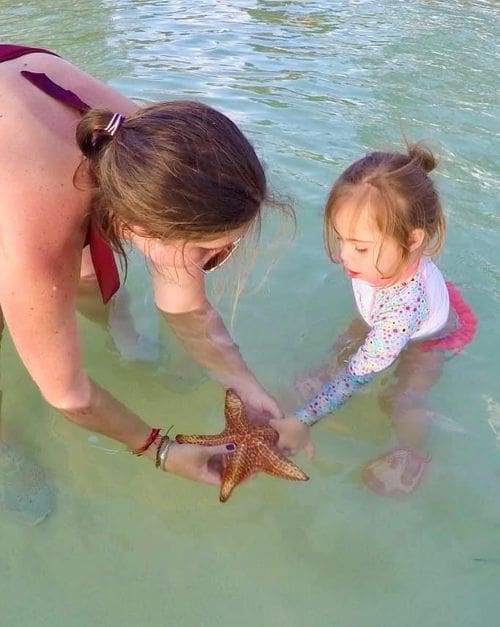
396 314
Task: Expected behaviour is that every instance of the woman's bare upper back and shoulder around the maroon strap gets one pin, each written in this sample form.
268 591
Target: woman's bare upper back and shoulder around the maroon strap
39 201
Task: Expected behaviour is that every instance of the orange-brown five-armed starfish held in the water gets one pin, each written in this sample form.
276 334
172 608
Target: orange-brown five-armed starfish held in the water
255 448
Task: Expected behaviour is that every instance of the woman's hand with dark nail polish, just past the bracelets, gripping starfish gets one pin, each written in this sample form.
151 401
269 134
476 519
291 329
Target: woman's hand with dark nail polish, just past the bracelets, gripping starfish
198 463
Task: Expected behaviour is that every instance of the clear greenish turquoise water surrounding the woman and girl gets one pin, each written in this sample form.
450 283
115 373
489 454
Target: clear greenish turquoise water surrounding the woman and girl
314 84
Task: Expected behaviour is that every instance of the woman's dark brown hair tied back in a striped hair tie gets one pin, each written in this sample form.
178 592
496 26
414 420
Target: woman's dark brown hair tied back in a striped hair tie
177 170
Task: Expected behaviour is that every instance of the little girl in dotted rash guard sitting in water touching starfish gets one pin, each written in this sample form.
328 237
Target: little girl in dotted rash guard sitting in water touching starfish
384 222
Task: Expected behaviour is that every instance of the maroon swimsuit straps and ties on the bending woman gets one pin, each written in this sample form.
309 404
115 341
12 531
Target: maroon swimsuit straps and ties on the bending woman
101 252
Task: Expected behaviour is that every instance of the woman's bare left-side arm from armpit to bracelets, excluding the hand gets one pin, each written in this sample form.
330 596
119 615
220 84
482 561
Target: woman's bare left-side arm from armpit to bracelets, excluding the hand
37 294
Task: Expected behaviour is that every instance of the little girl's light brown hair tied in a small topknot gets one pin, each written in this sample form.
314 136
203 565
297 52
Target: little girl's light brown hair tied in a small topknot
401 194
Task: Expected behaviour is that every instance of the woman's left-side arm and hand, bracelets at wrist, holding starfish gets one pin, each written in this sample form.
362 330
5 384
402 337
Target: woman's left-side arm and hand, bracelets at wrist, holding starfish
38 303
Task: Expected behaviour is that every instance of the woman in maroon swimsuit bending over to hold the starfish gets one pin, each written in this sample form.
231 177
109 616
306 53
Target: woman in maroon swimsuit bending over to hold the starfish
177 179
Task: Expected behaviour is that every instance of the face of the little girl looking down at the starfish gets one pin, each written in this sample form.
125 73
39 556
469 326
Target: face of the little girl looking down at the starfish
364 252
